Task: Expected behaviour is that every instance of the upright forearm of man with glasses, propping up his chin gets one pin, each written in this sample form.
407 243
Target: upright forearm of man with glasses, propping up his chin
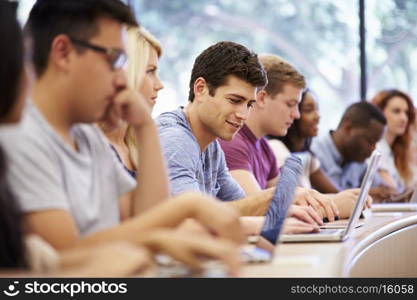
152 176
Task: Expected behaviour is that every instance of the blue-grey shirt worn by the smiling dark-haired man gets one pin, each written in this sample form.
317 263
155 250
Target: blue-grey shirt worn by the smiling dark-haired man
190 169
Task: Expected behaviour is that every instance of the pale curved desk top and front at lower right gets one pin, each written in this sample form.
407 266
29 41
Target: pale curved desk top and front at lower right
386 246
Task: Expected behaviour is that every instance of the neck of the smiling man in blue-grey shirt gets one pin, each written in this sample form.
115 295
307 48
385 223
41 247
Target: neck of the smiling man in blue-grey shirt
203 135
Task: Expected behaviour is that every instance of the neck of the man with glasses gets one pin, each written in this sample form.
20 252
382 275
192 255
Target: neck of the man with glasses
47 96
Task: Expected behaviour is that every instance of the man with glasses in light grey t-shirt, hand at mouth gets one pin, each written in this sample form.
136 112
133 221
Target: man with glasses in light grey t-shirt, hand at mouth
71 188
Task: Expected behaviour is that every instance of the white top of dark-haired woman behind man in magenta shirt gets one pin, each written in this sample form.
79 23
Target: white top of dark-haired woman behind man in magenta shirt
310 163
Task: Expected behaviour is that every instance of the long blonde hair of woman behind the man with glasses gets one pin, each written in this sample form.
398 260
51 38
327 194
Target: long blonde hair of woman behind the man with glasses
139 44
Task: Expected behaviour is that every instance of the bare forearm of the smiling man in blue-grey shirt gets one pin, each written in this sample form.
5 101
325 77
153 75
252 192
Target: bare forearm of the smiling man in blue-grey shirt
254 205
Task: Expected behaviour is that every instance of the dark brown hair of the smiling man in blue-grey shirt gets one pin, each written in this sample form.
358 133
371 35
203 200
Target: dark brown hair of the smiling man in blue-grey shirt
219 61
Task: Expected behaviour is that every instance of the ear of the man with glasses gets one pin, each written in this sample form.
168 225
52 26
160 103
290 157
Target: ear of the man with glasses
60 54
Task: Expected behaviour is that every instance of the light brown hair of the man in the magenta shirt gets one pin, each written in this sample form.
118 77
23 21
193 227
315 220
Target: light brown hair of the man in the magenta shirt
279 73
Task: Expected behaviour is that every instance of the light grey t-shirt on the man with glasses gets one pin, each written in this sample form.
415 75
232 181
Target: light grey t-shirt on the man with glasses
45 173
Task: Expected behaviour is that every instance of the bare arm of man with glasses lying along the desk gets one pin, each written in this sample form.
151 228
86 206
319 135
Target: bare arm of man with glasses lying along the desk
58 228
